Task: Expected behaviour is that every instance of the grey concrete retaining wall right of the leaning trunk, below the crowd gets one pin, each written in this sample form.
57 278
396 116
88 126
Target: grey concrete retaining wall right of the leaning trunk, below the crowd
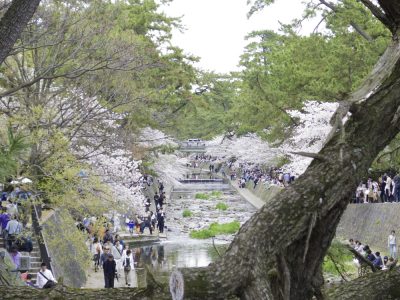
370 223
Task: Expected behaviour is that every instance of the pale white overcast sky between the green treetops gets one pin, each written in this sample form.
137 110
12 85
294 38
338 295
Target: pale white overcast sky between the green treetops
216 29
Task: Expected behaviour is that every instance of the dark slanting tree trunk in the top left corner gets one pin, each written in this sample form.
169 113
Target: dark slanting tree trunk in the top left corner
13 23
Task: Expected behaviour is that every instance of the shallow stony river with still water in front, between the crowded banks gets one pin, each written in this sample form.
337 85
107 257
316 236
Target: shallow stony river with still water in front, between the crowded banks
178 250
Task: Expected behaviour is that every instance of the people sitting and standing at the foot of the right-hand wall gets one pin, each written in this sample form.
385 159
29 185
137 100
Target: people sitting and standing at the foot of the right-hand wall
385 263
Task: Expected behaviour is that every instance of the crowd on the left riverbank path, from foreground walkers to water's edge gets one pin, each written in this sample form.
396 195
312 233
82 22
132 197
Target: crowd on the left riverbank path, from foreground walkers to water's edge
110 252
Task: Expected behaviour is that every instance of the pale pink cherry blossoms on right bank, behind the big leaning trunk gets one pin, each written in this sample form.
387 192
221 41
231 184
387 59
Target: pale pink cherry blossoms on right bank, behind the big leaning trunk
308 136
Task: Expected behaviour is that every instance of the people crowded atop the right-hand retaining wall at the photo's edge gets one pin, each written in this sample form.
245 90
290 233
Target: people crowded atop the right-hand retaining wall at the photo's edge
385 189
